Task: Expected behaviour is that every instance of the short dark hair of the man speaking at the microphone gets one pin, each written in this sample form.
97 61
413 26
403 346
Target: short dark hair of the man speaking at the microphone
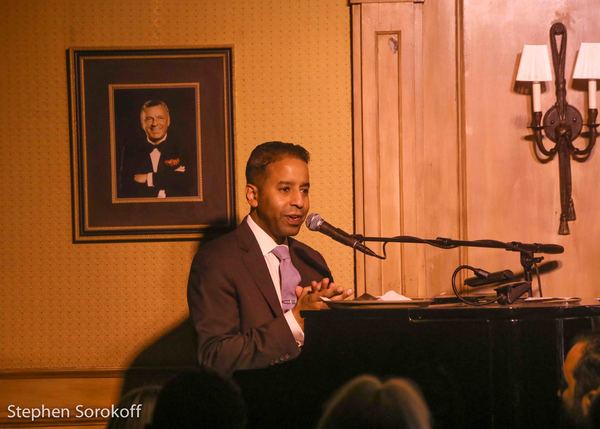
269 152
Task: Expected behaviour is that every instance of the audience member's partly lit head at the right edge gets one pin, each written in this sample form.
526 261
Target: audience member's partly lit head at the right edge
581 372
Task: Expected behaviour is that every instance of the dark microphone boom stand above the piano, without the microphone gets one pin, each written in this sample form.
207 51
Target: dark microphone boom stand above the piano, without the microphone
507 294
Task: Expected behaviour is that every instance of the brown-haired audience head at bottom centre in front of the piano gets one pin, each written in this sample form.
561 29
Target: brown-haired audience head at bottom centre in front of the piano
366 402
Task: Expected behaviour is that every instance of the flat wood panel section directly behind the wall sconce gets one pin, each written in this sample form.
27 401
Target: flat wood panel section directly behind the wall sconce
511 195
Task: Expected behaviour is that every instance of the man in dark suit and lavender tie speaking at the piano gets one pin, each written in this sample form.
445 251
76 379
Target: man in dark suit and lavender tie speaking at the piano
236 292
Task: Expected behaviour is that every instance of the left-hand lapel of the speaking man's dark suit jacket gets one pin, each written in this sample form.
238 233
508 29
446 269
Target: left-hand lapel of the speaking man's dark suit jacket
257 267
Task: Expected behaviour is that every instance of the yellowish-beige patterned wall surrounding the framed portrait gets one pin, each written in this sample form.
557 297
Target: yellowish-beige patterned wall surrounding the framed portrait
97 305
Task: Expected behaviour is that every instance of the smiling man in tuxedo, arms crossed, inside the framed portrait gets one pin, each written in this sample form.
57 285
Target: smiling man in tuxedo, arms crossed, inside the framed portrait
154 167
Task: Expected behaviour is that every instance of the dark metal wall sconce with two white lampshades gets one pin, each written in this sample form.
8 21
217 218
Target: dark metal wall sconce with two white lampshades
562 123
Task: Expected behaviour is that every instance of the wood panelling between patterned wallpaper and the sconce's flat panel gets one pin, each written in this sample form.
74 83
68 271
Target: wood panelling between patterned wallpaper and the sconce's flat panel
403 184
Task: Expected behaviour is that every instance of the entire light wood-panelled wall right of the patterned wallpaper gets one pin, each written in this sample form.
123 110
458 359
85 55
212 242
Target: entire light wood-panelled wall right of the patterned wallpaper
439 141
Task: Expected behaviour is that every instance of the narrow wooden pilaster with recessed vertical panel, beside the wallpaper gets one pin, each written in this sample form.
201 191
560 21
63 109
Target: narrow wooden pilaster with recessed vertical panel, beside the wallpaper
388 130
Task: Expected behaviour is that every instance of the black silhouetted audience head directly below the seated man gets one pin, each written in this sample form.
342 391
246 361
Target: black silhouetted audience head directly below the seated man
200 399
